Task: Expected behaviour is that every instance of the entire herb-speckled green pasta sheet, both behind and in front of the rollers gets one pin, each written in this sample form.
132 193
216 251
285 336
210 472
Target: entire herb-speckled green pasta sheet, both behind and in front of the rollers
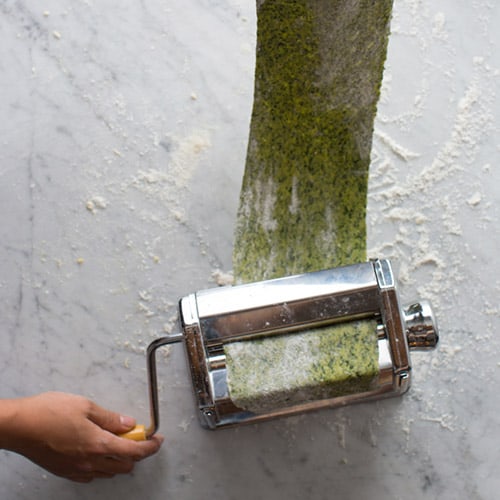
319 67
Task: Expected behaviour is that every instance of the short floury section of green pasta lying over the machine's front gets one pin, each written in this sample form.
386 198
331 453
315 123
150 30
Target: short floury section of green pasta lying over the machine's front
286 370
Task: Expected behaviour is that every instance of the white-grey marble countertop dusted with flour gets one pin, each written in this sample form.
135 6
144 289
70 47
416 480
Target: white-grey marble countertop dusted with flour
123 138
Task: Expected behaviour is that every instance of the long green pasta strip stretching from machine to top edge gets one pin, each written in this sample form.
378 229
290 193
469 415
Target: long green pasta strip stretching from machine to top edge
319 66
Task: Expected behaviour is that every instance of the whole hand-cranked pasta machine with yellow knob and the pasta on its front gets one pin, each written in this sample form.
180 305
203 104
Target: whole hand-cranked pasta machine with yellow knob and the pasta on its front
295 344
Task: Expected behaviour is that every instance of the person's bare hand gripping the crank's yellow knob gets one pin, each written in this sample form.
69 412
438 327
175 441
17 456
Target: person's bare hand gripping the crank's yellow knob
73 437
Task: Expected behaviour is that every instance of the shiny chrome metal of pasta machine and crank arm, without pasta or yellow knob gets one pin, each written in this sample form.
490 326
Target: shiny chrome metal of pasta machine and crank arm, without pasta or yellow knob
211 318
